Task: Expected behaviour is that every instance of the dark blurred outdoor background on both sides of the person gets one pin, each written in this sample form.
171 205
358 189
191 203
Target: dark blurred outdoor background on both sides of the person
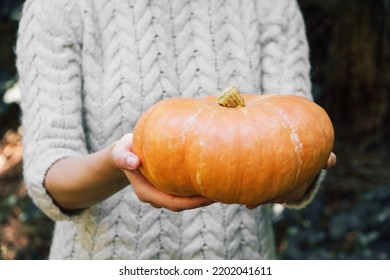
349 219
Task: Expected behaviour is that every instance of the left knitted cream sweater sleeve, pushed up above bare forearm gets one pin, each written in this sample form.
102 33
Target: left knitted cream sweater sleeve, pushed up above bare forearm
48 62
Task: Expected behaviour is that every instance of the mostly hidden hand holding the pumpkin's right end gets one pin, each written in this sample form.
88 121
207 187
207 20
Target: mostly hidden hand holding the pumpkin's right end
300 193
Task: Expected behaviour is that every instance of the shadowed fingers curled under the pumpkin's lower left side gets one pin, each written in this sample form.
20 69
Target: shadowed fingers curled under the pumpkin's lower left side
148 193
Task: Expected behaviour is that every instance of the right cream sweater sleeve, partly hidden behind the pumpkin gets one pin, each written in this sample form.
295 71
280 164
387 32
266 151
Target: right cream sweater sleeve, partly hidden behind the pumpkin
285 61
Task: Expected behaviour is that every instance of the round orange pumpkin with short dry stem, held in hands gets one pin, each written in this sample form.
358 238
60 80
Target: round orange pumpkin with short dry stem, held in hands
246 149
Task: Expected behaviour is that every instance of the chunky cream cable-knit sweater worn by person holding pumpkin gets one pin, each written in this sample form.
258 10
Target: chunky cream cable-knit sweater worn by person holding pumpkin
88 69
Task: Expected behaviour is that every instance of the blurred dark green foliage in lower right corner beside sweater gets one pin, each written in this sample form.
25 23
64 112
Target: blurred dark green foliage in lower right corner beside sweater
359 231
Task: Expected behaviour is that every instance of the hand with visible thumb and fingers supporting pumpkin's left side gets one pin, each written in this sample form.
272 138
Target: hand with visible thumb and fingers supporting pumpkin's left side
125 159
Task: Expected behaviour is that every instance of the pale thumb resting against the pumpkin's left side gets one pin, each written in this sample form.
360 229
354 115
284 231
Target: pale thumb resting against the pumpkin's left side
122 156
